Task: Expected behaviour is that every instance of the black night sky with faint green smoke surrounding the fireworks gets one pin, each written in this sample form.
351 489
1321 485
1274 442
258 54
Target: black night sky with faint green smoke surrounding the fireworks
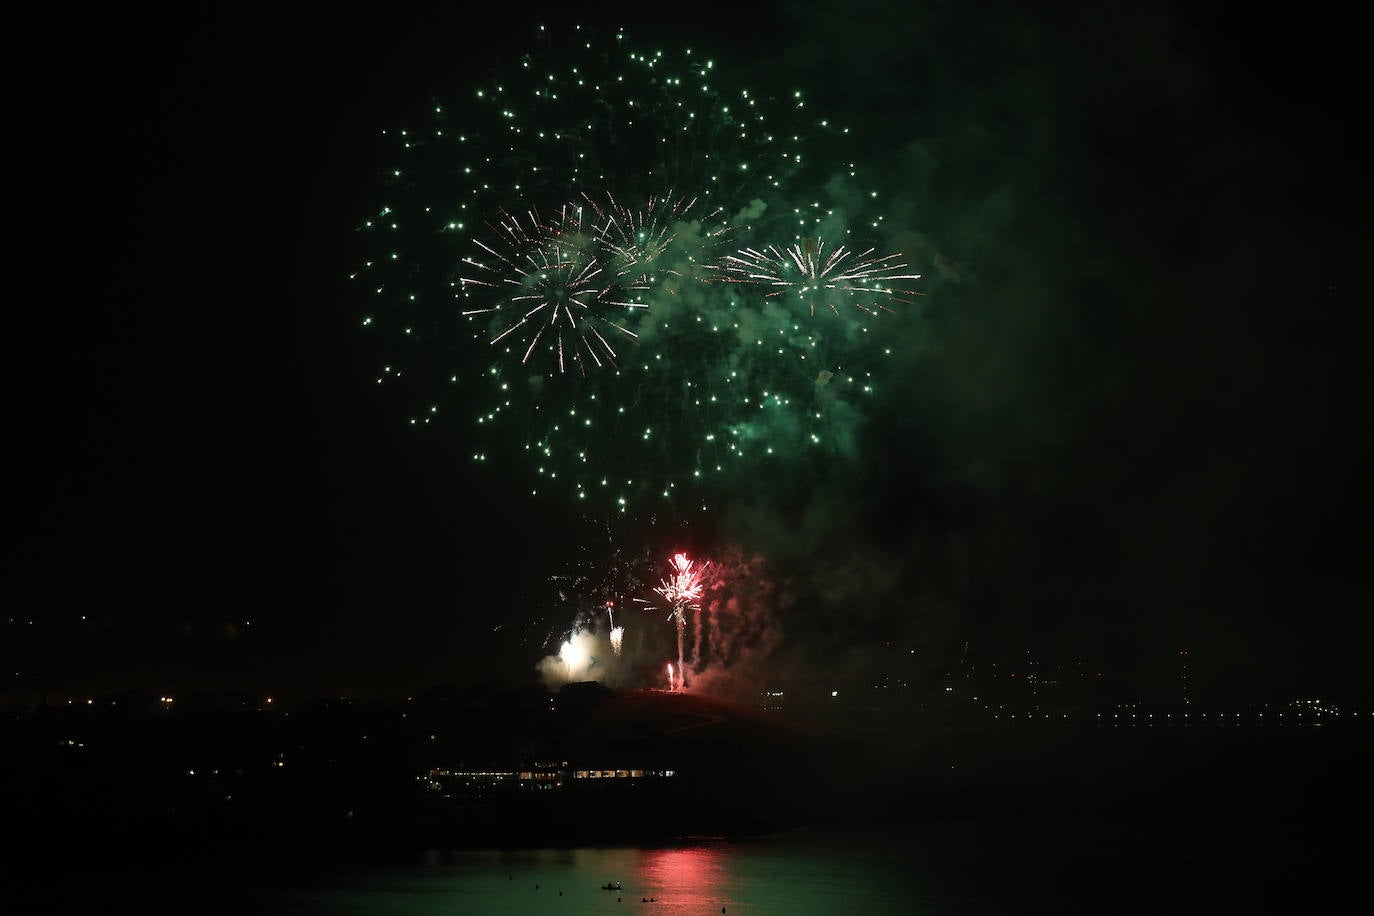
1130 415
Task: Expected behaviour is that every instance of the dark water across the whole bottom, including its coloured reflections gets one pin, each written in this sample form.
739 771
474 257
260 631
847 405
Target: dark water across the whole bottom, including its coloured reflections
932 870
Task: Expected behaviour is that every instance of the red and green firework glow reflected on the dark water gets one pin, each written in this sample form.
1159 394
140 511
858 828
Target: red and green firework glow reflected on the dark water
708 877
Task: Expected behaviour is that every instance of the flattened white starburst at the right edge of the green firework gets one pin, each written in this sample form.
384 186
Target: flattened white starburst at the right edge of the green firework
807 270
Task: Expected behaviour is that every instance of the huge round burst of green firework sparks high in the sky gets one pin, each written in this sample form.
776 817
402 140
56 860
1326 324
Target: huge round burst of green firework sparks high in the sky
655 284
